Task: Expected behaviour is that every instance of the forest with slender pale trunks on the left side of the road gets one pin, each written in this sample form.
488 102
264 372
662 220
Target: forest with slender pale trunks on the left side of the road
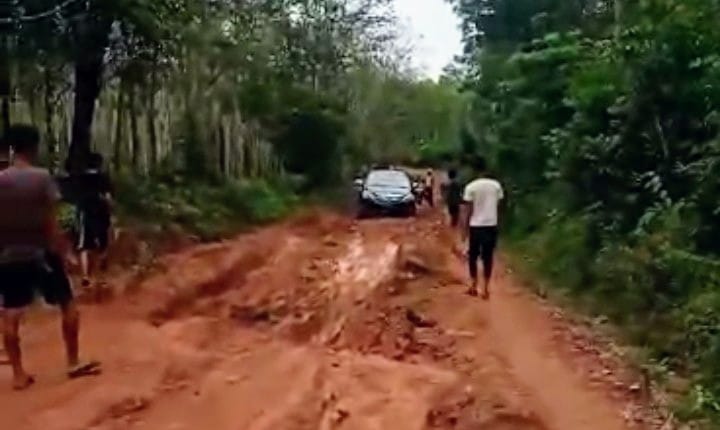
264 97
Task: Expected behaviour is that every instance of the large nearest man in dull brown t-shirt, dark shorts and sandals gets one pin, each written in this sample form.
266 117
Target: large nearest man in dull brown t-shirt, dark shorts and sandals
33 254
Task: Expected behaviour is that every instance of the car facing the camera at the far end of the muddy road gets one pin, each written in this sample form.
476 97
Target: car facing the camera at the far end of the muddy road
386 192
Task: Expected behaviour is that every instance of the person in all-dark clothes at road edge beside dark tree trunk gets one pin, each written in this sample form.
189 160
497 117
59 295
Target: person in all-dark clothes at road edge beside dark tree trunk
94 217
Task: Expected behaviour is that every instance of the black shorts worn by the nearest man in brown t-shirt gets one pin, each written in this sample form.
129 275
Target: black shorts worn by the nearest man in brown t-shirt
21 282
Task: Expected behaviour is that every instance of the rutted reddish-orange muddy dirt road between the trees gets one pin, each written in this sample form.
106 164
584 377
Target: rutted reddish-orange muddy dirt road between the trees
322 323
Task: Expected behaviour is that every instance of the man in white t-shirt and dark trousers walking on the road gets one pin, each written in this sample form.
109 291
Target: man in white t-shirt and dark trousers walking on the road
481 199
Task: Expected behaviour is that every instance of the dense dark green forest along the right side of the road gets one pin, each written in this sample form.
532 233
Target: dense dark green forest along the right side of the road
602 118
